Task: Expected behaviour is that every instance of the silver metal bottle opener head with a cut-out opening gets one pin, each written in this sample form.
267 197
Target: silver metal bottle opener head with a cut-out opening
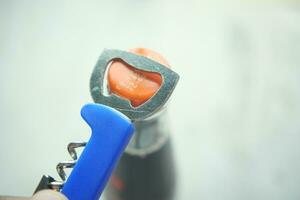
151 106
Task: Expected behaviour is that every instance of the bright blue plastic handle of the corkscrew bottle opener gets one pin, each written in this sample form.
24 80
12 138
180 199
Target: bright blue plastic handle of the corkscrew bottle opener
111 132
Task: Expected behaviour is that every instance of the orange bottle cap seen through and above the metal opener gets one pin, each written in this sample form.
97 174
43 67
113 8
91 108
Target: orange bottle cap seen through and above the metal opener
135 85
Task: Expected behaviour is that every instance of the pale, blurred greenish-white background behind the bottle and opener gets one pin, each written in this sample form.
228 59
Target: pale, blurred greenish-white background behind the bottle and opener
234 115
